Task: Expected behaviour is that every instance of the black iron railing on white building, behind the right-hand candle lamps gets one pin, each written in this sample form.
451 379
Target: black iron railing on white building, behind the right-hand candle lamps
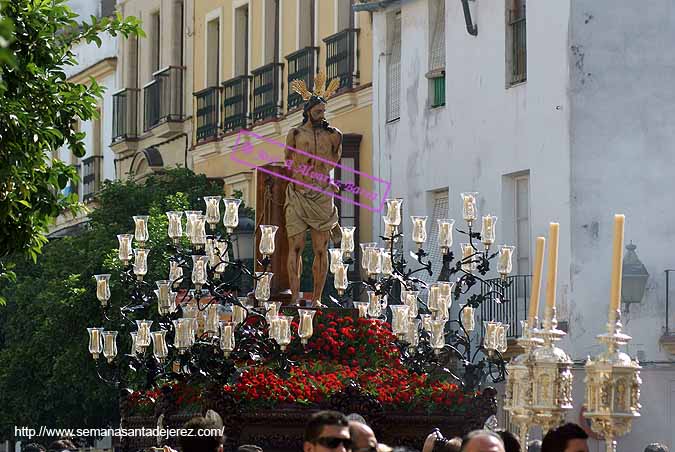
513 308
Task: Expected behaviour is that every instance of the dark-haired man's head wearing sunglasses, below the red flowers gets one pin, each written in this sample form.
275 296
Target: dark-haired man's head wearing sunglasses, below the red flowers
327 431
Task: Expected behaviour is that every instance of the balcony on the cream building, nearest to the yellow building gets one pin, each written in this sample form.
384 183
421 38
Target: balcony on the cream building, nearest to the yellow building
163 101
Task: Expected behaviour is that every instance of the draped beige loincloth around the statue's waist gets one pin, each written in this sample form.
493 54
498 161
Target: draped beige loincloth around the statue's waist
309 209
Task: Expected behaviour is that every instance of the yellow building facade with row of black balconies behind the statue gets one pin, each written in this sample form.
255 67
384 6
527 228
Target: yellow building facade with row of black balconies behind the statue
245 54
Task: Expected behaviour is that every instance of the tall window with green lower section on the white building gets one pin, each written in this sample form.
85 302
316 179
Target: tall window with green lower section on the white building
436 73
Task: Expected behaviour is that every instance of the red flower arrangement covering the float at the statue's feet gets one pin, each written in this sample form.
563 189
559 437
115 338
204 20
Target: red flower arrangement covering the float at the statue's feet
342 351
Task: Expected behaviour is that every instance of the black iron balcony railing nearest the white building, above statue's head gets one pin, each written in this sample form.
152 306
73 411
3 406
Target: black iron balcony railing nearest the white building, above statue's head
341 57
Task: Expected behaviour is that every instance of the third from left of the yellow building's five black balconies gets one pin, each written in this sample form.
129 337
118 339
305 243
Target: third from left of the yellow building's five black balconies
266 92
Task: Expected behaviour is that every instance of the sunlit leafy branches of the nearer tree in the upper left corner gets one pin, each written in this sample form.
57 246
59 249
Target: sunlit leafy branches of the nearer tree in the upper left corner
38 106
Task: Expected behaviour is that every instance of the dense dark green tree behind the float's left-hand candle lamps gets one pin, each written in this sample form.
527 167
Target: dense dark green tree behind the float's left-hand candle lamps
47 376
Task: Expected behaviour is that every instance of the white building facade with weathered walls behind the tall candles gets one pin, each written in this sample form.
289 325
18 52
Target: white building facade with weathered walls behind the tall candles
553 111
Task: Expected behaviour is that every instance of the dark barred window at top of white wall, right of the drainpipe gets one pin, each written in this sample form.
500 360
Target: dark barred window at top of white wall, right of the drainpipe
516 42
